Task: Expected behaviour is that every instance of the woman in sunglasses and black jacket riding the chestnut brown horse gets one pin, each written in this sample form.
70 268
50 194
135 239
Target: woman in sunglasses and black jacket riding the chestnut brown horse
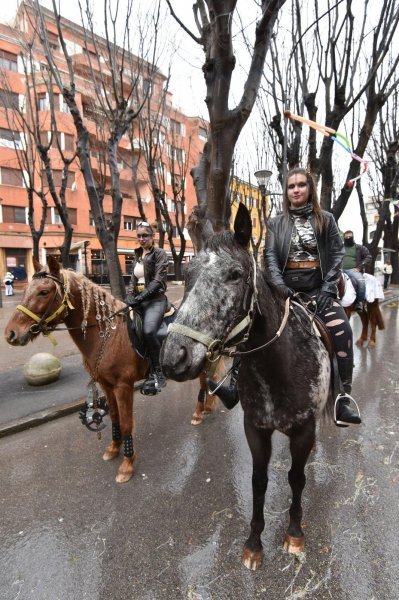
146 292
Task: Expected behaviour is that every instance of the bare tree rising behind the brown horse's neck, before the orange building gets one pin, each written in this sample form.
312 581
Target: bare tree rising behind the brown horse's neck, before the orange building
115 72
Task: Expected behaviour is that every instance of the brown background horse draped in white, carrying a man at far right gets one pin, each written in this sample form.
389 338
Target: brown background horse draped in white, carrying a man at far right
371 316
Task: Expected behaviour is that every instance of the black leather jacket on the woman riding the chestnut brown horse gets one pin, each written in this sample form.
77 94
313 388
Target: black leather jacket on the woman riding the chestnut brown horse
155 273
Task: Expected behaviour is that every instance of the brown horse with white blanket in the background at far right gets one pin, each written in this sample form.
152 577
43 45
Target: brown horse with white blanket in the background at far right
371 316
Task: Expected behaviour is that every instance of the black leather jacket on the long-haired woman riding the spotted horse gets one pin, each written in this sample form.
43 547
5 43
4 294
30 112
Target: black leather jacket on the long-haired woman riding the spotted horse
329 244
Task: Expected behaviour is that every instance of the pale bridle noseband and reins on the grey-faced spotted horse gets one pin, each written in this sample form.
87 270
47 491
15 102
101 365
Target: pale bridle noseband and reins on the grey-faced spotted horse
216 347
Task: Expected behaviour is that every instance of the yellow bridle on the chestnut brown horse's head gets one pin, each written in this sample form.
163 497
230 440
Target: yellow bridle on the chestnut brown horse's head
45 324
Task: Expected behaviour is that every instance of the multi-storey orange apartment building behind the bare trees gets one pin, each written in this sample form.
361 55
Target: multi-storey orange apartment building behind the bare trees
184 138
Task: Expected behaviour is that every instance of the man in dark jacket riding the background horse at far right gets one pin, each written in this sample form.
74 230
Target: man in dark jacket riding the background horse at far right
356 258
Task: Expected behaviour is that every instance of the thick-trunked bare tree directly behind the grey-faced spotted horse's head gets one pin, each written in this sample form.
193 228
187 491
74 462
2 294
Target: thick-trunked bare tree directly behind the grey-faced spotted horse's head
214 20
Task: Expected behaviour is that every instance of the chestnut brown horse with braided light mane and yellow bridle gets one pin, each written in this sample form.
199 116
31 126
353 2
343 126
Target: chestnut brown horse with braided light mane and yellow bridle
57 296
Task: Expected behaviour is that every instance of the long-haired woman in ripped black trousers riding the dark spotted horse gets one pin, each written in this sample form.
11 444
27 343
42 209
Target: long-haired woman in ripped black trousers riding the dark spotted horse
303 253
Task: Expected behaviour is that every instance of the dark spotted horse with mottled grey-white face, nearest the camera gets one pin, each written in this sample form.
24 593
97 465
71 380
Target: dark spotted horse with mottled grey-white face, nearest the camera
284 379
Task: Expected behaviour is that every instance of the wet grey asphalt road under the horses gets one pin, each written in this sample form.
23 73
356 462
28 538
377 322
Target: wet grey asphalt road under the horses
176 530
